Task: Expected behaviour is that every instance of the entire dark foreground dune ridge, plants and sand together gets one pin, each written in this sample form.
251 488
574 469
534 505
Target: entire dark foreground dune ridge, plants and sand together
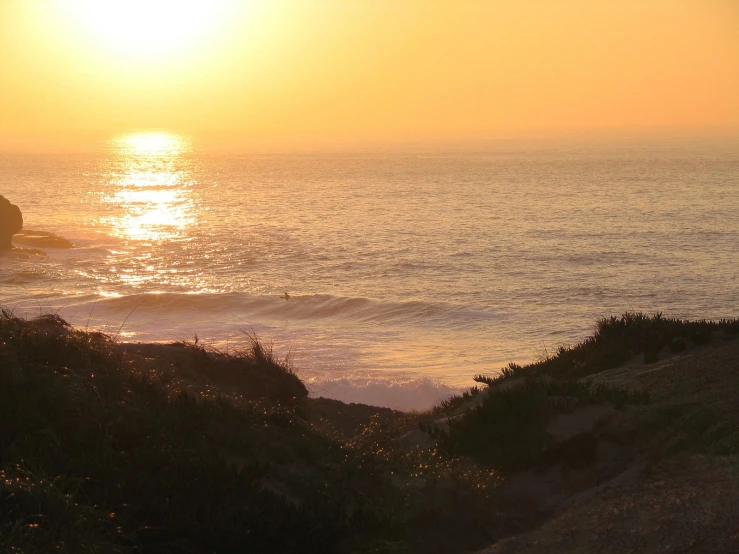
625 442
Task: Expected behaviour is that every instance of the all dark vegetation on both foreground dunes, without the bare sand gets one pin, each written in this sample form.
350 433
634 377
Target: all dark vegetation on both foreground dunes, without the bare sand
104 447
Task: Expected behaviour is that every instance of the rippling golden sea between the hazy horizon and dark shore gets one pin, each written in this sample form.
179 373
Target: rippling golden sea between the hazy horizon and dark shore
407 273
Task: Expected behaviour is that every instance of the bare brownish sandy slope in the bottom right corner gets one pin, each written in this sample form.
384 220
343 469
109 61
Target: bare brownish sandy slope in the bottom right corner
664 477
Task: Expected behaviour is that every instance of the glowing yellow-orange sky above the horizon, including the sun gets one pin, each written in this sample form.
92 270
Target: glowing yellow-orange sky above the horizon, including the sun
333 71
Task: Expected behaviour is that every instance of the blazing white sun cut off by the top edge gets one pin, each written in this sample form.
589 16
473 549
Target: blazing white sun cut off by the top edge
146 28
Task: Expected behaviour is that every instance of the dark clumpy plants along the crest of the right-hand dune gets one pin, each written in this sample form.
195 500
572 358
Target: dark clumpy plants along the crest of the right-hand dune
505 427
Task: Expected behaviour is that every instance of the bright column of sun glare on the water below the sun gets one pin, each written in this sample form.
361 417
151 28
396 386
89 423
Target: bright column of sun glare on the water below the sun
149 203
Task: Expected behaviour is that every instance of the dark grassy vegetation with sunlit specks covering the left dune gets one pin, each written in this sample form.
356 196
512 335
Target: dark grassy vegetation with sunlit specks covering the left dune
101 453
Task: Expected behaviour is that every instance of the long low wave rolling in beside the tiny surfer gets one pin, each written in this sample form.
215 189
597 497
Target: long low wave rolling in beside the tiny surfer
307 307
